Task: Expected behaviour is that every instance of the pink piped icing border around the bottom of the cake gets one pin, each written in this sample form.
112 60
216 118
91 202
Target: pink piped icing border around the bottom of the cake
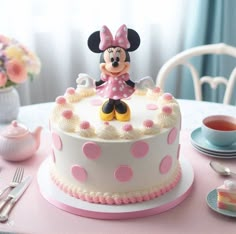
119 200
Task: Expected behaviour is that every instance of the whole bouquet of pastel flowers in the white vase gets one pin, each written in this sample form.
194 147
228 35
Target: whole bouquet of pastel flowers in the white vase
17 63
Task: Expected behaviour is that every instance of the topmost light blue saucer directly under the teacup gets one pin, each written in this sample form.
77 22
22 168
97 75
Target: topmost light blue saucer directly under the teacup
199 140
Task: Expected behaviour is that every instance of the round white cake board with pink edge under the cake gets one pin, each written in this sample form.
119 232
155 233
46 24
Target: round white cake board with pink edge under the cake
100 211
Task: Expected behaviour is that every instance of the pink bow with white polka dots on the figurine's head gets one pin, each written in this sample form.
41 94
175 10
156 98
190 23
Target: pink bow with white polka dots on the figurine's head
120 39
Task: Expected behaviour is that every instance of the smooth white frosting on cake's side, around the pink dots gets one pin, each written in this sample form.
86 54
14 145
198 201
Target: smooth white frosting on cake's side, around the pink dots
146 174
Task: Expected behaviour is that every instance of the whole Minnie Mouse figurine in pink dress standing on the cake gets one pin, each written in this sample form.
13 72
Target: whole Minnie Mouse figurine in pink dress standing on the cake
115 83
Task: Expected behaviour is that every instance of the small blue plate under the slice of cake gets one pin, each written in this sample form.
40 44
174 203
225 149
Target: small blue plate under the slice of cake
212 203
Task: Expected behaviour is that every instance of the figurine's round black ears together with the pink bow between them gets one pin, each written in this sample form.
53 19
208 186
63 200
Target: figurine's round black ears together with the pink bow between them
128 39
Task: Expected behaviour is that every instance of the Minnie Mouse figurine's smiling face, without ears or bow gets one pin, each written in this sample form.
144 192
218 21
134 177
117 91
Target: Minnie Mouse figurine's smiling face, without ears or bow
114 61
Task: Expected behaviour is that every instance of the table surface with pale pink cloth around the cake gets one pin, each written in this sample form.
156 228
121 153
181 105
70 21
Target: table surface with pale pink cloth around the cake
33 214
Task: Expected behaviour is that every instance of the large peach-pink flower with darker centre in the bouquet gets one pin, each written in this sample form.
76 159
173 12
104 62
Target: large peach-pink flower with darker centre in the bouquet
16 71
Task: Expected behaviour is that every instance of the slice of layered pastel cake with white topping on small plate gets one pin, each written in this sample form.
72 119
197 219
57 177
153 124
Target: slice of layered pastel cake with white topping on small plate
226 195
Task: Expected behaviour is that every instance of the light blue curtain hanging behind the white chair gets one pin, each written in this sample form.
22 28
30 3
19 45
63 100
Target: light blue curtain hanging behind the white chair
209 22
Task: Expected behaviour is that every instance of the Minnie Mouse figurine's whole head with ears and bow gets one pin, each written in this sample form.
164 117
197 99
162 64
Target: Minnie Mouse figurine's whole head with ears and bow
114 51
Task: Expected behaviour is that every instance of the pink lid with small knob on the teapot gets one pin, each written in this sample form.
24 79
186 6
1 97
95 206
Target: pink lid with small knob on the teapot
14 130
